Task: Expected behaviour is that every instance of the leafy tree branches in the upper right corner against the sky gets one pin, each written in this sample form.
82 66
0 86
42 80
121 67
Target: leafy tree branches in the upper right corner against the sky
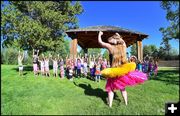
172 31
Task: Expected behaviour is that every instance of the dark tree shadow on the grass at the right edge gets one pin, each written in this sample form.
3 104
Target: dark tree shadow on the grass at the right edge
168 77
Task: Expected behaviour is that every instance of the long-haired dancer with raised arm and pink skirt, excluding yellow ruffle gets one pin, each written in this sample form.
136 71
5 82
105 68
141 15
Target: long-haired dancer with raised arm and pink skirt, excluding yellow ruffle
117 56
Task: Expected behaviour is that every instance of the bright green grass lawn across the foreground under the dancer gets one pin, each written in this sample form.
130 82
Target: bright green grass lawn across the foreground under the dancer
30 95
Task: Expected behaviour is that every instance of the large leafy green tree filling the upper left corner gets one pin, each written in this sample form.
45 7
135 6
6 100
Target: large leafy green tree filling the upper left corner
38 24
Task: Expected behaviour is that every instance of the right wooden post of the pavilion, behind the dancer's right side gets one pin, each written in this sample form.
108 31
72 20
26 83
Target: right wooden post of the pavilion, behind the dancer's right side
139 50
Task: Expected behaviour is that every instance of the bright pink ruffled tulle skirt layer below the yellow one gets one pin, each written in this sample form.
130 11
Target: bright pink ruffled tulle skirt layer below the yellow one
130 79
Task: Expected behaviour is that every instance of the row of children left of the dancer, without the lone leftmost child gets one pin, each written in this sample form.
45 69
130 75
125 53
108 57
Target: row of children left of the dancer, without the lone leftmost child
78 67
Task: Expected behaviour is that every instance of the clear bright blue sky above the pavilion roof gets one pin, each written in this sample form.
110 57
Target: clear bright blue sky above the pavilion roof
143 16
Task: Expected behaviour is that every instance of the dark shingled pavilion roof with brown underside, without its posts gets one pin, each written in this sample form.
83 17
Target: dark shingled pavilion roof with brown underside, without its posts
88 37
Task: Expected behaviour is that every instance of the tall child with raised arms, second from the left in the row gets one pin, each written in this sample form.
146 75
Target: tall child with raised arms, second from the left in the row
35 61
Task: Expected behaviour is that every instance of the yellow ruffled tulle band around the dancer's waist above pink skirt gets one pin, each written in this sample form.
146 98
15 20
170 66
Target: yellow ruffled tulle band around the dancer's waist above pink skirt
118 71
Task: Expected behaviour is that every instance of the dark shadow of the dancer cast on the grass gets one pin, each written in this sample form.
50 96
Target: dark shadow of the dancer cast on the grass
88 90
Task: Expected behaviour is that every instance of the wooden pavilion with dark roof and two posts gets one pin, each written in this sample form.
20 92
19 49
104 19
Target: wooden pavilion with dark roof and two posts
88 38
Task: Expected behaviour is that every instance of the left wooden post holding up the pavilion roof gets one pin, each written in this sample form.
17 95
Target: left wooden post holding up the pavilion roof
73 49
